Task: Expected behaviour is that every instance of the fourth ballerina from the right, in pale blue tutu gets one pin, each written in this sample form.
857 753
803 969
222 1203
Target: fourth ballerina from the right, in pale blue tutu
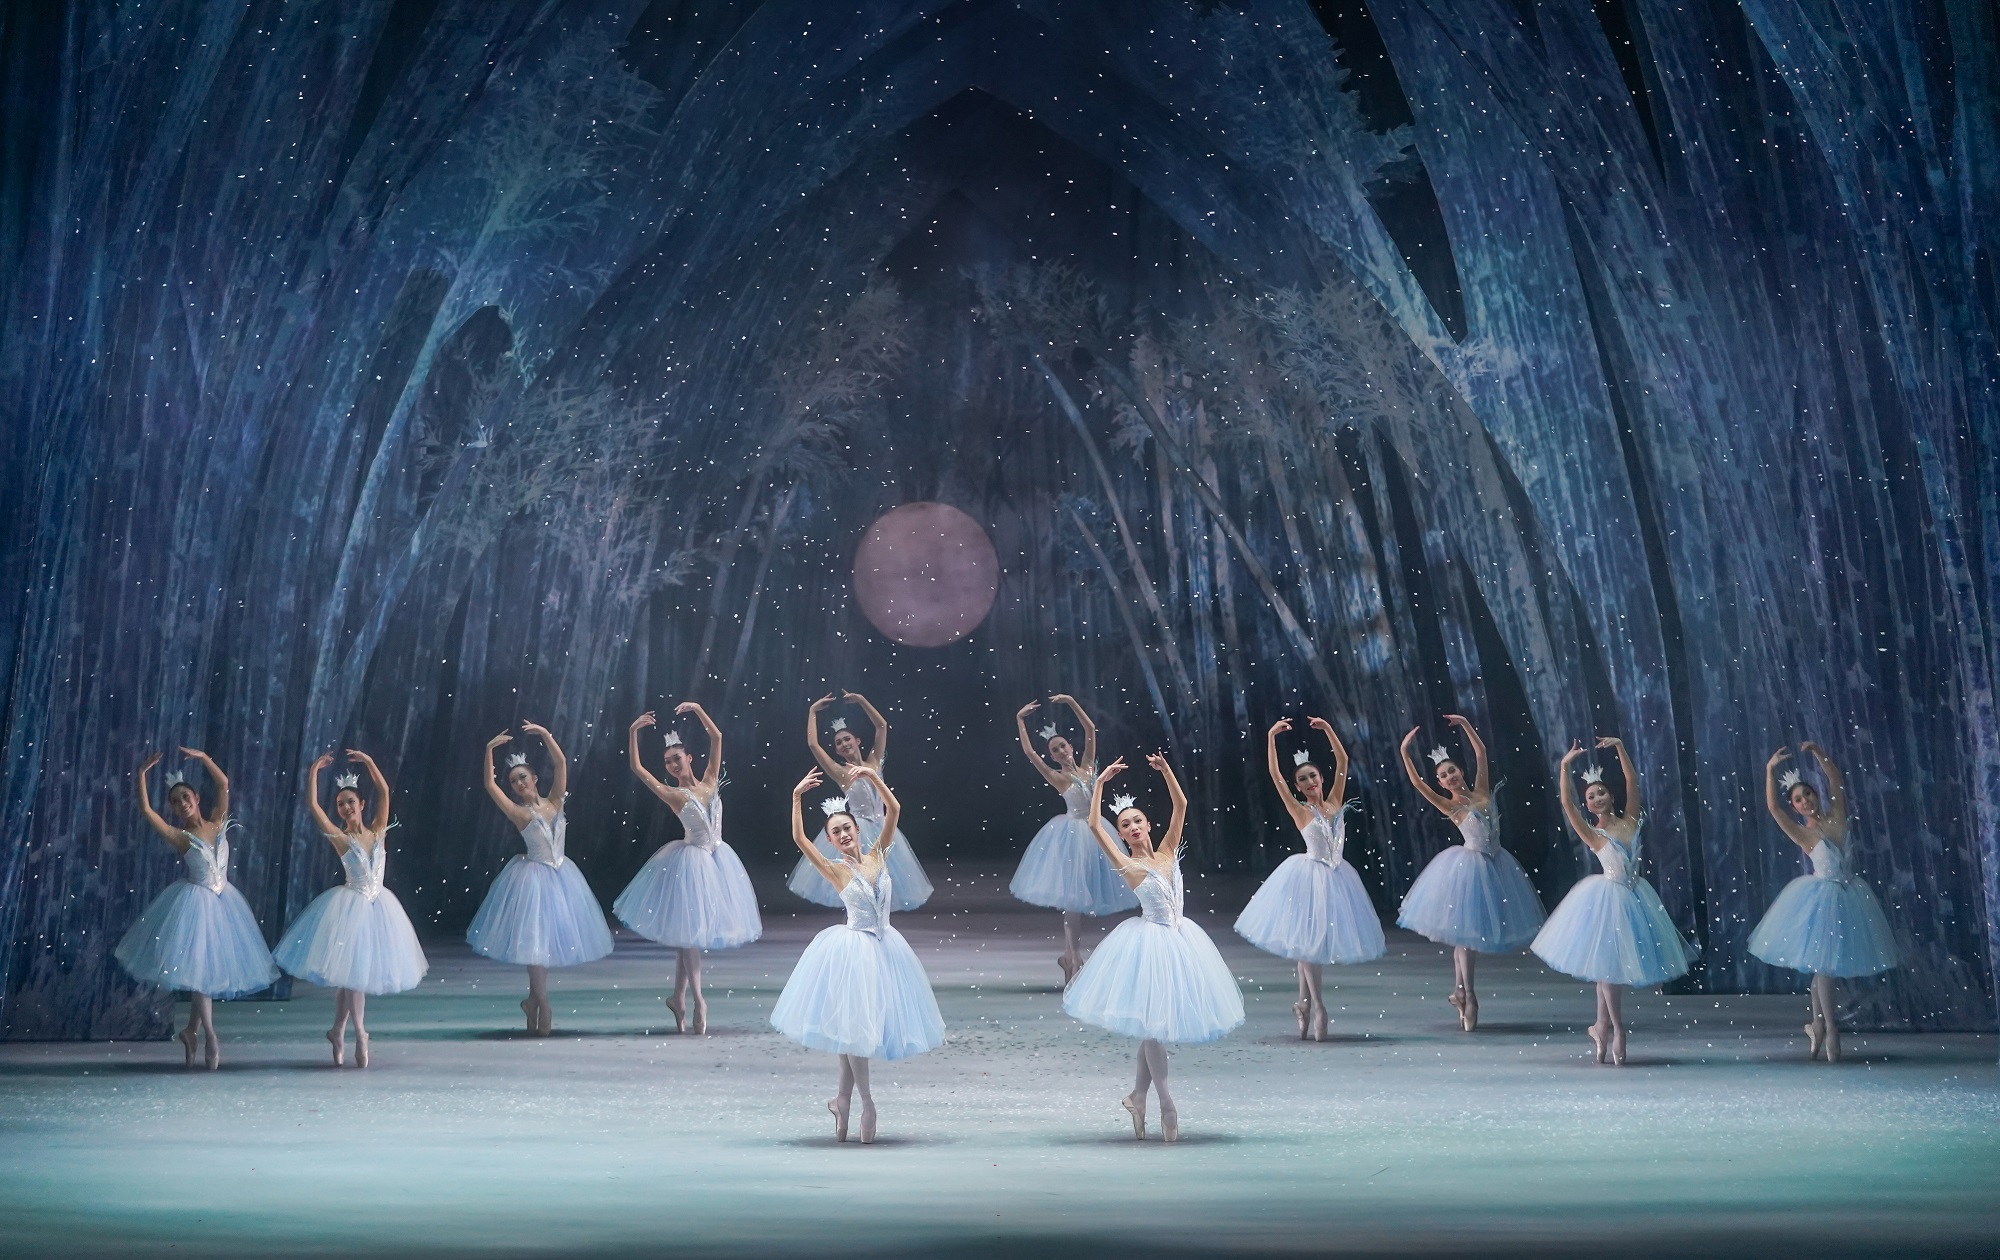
1313 909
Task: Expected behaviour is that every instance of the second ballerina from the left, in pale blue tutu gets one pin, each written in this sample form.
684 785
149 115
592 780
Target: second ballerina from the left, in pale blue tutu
355 937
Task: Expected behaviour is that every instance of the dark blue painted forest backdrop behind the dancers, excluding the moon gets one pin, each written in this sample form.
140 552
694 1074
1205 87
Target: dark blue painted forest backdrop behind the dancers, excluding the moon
389 371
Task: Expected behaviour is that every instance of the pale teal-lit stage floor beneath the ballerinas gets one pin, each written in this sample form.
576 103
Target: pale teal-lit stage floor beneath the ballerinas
619 1139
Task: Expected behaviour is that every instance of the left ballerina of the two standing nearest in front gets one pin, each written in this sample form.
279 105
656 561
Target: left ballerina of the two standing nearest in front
859 989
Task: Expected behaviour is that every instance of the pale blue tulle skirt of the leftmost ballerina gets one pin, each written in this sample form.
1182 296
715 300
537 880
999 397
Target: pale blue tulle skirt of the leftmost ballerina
199 941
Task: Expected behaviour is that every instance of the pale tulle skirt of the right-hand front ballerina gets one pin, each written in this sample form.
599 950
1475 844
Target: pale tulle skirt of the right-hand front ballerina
1157 981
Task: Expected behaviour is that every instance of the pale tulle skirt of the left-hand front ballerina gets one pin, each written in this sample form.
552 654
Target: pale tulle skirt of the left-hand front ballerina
857 993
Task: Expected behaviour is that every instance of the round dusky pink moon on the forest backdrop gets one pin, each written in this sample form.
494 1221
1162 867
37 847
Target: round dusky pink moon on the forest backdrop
927 575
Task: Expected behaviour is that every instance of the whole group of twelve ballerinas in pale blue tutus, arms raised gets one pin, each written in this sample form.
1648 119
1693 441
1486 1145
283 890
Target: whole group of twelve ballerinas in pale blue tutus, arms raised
861 993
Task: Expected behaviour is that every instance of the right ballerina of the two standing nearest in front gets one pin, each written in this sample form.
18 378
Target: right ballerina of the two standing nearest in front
1155 977
